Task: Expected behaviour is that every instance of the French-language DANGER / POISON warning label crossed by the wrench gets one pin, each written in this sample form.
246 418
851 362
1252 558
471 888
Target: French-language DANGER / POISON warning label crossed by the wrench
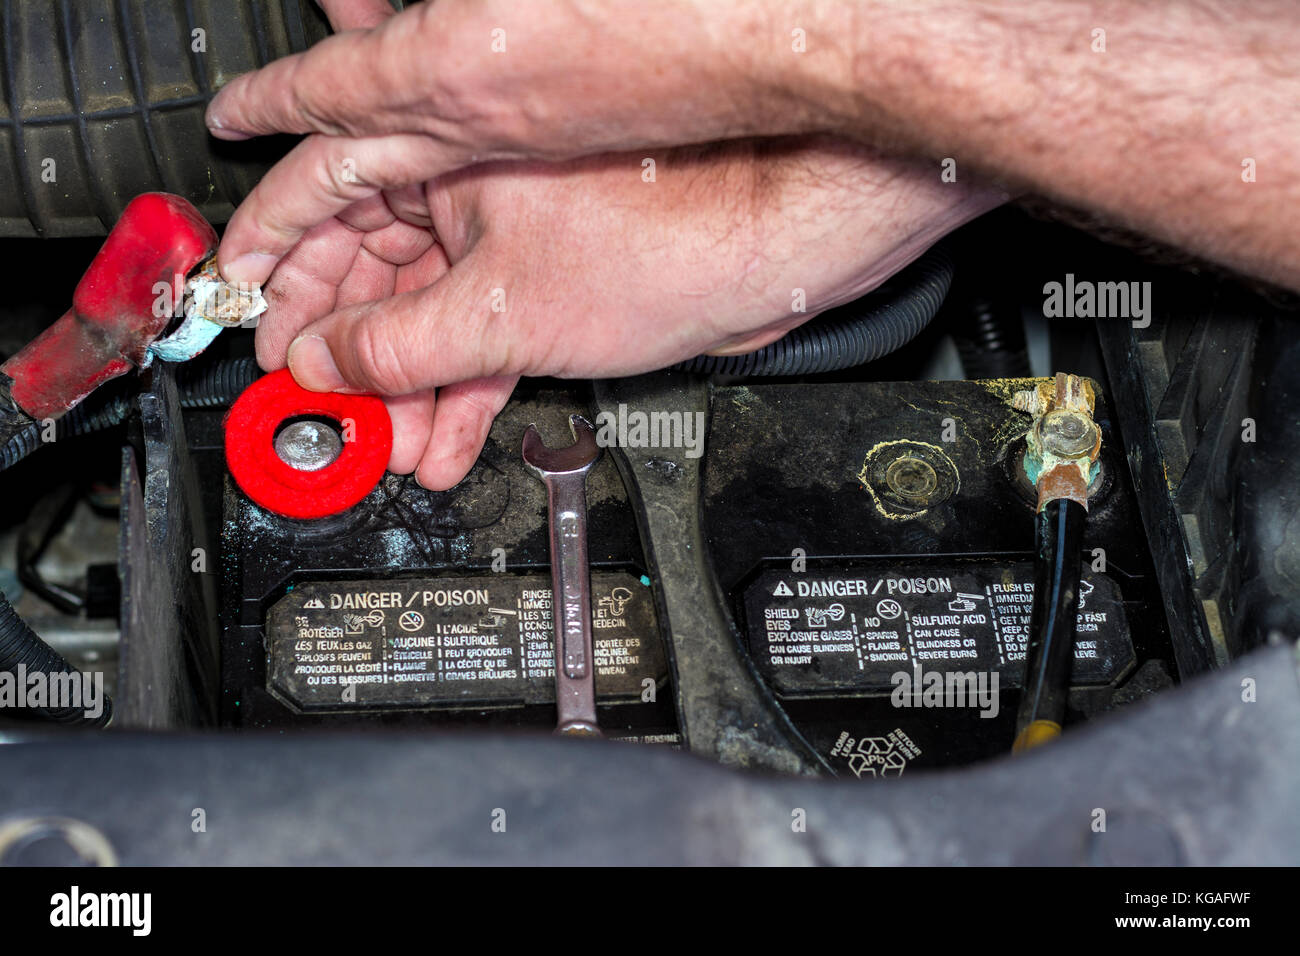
417 644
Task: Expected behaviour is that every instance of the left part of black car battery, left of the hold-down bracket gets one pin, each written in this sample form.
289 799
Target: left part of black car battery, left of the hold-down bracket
419 607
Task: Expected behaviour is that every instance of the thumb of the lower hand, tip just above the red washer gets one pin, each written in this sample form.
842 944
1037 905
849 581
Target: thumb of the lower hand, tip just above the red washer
453 331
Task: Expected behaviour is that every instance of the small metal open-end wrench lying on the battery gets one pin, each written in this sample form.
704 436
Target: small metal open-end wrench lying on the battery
564 471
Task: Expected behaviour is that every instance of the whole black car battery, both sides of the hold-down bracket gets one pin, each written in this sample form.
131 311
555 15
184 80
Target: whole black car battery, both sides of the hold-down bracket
874 542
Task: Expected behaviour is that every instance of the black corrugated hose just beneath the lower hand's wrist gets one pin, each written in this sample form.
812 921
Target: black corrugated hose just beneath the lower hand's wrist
848 336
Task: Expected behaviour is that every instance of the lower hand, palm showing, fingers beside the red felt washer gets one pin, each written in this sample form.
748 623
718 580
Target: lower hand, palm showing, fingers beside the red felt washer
587 269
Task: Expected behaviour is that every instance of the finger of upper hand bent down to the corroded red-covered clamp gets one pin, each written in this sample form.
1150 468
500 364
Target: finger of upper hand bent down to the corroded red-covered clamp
320 179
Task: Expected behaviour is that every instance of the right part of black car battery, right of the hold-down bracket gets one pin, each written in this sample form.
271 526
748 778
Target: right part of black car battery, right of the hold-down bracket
876 542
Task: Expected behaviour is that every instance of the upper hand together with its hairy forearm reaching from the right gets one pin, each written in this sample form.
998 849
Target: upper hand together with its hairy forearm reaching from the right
1173 119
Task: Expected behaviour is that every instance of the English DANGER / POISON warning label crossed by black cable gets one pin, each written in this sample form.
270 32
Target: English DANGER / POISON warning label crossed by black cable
820 634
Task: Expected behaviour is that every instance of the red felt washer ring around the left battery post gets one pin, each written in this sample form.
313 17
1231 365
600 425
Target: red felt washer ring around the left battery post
252 457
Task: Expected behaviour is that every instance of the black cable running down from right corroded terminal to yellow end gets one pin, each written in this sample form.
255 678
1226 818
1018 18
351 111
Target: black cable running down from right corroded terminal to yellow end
1052 622
